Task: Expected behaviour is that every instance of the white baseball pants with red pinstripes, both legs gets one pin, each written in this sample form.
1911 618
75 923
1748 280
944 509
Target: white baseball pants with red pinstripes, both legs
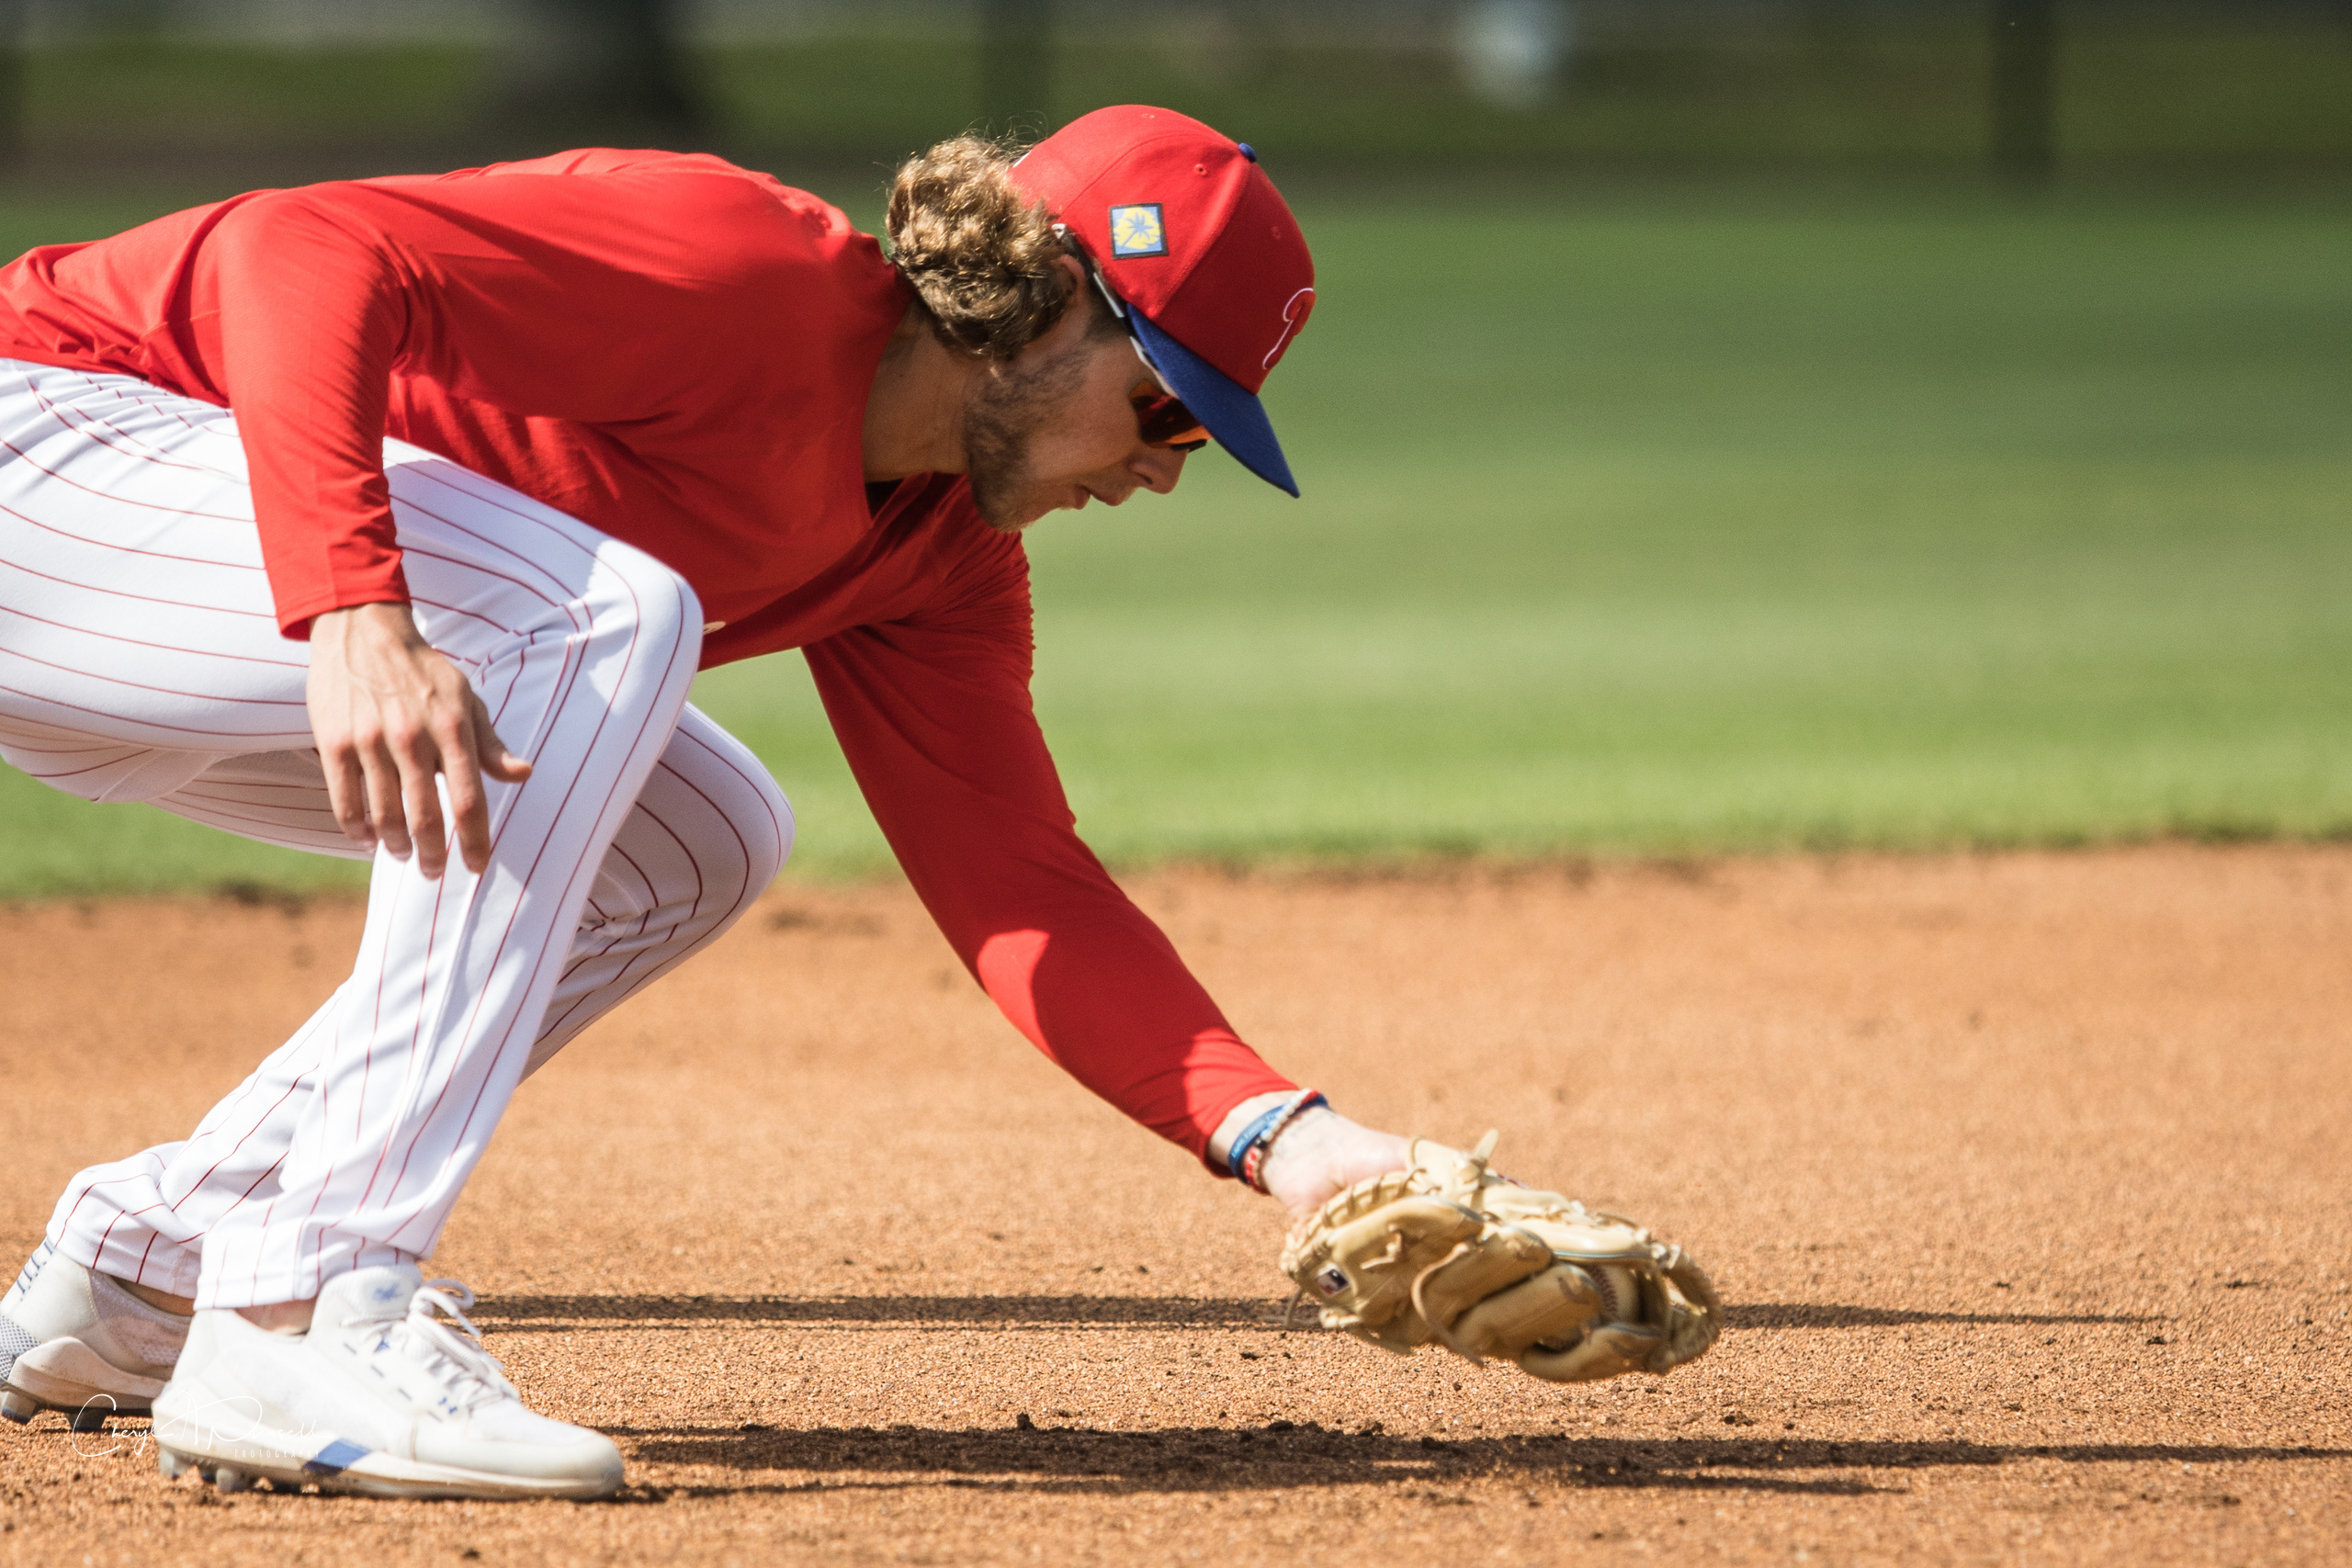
140 662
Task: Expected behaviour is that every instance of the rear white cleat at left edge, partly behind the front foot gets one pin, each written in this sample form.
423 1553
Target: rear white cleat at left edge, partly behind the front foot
76 1341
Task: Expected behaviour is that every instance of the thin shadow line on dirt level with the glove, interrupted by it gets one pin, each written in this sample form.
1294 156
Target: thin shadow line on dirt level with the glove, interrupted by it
1031 1313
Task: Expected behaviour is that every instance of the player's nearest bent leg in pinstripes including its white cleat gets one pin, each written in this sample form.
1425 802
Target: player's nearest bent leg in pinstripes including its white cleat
584 652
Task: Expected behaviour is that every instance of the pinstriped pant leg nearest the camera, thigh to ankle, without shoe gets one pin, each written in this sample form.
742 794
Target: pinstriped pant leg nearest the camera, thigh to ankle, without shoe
584 650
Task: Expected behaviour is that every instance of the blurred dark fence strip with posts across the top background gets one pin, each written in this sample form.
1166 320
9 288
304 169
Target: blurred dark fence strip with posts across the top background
1916 86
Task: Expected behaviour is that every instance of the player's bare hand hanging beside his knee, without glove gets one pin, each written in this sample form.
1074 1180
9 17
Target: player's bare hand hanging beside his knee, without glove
389 716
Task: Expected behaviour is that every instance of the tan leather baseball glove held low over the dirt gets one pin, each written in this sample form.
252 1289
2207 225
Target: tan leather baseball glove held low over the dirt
1452 1254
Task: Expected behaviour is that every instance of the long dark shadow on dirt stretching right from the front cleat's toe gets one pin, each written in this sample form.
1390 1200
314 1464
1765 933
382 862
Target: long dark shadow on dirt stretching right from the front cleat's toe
1222 1459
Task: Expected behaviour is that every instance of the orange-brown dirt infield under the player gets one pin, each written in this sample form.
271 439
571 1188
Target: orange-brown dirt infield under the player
2026 1174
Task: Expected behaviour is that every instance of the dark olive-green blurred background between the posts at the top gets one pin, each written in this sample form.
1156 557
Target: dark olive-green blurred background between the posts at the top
2189 86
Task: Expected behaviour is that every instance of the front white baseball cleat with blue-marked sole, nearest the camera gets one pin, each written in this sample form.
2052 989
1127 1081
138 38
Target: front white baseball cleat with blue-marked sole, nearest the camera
389 1395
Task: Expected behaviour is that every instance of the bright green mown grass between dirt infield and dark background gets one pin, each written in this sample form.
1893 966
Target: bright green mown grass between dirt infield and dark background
1681 525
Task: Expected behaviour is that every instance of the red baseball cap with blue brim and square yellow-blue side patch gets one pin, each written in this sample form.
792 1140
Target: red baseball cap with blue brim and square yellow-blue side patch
1198 246
